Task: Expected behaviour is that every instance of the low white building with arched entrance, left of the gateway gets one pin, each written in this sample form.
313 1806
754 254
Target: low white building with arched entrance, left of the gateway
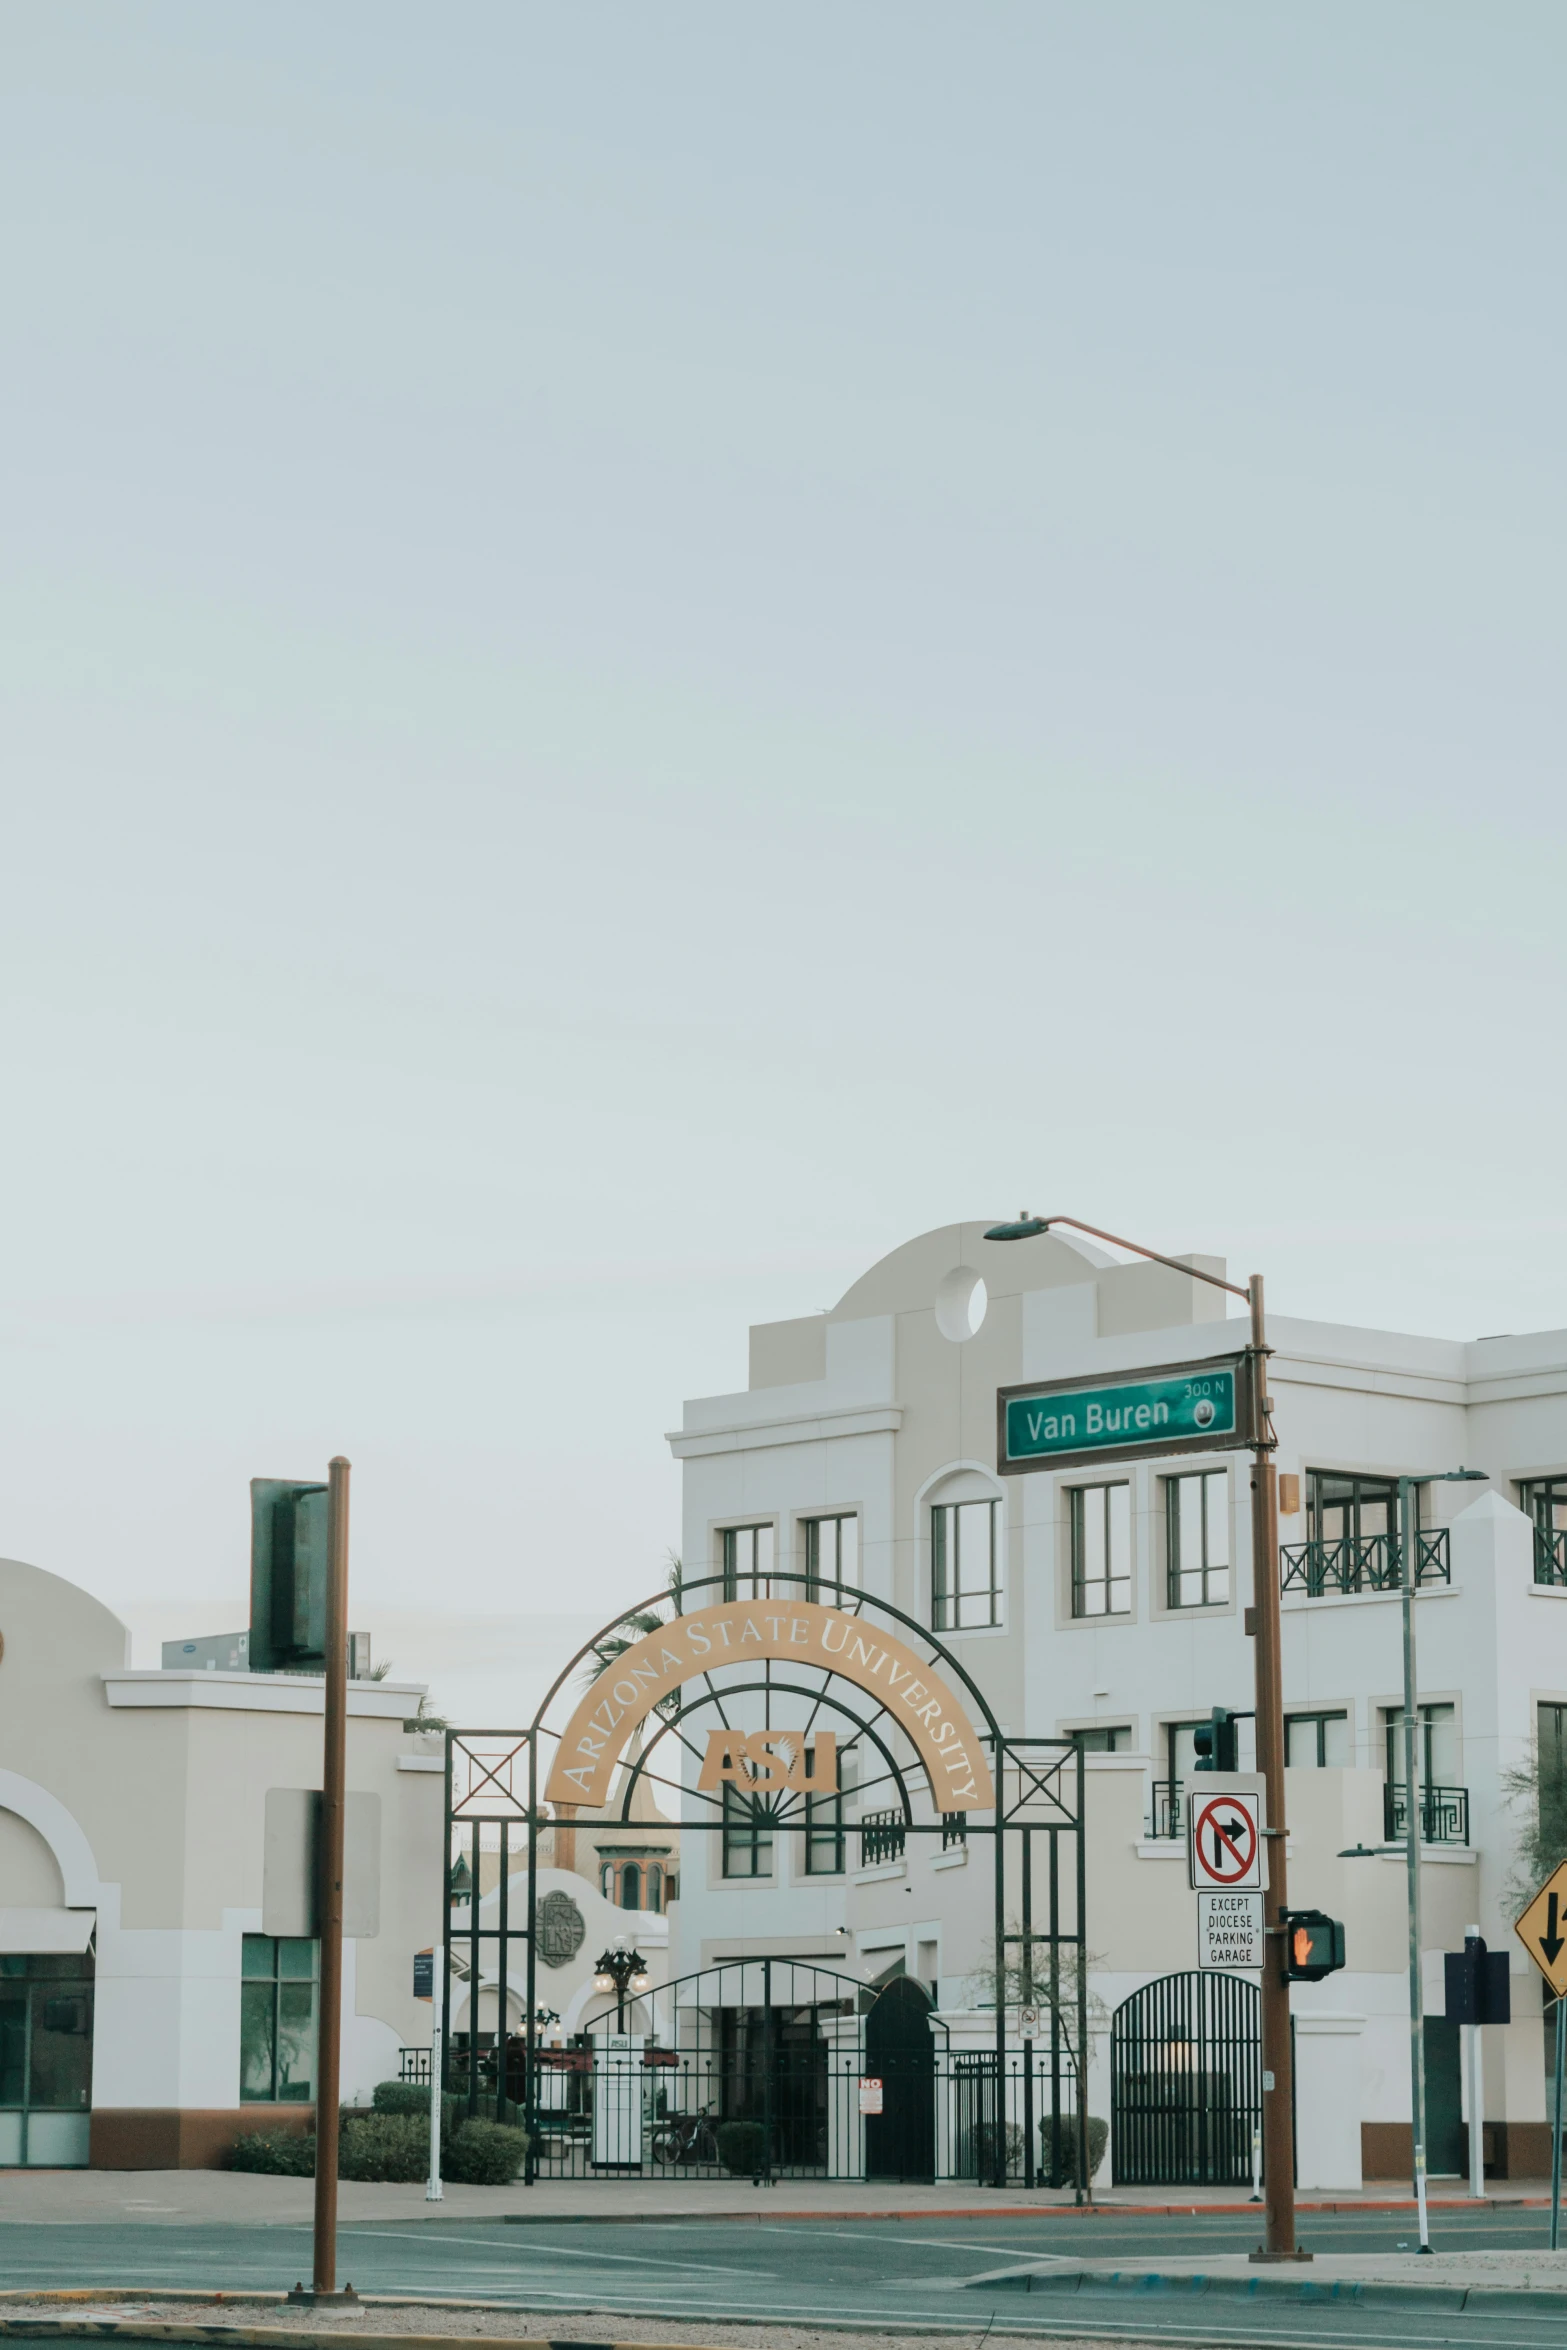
159 1980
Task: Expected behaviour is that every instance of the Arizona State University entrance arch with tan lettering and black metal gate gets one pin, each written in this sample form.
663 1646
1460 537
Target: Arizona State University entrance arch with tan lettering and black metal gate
751 1712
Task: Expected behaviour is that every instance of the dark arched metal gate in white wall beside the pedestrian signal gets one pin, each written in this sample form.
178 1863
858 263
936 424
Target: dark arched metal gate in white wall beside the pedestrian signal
1188 2081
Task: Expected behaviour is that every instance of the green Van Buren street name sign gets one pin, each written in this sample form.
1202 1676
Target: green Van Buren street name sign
1176 1409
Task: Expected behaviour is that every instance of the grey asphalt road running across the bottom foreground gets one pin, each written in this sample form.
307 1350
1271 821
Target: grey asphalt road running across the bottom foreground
866 2274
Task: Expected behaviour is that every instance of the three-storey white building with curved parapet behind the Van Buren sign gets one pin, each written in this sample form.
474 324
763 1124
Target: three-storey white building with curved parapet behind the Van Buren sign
1112 1606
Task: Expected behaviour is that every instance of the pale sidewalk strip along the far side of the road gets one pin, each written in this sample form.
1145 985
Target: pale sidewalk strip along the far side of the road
246 2198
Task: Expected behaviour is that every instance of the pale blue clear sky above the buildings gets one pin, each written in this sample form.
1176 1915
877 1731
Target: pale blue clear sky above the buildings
650 650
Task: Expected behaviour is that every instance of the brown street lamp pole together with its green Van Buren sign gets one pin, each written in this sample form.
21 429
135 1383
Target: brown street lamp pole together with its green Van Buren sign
1218 1404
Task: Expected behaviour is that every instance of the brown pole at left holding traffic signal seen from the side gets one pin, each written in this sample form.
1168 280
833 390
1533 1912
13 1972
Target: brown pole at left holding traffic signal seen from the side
330 1895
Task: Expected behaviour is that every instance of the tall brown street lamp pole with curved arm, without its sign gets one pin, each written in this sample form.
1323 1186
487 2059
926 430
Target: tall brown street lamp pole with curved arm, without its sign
1265 1625
